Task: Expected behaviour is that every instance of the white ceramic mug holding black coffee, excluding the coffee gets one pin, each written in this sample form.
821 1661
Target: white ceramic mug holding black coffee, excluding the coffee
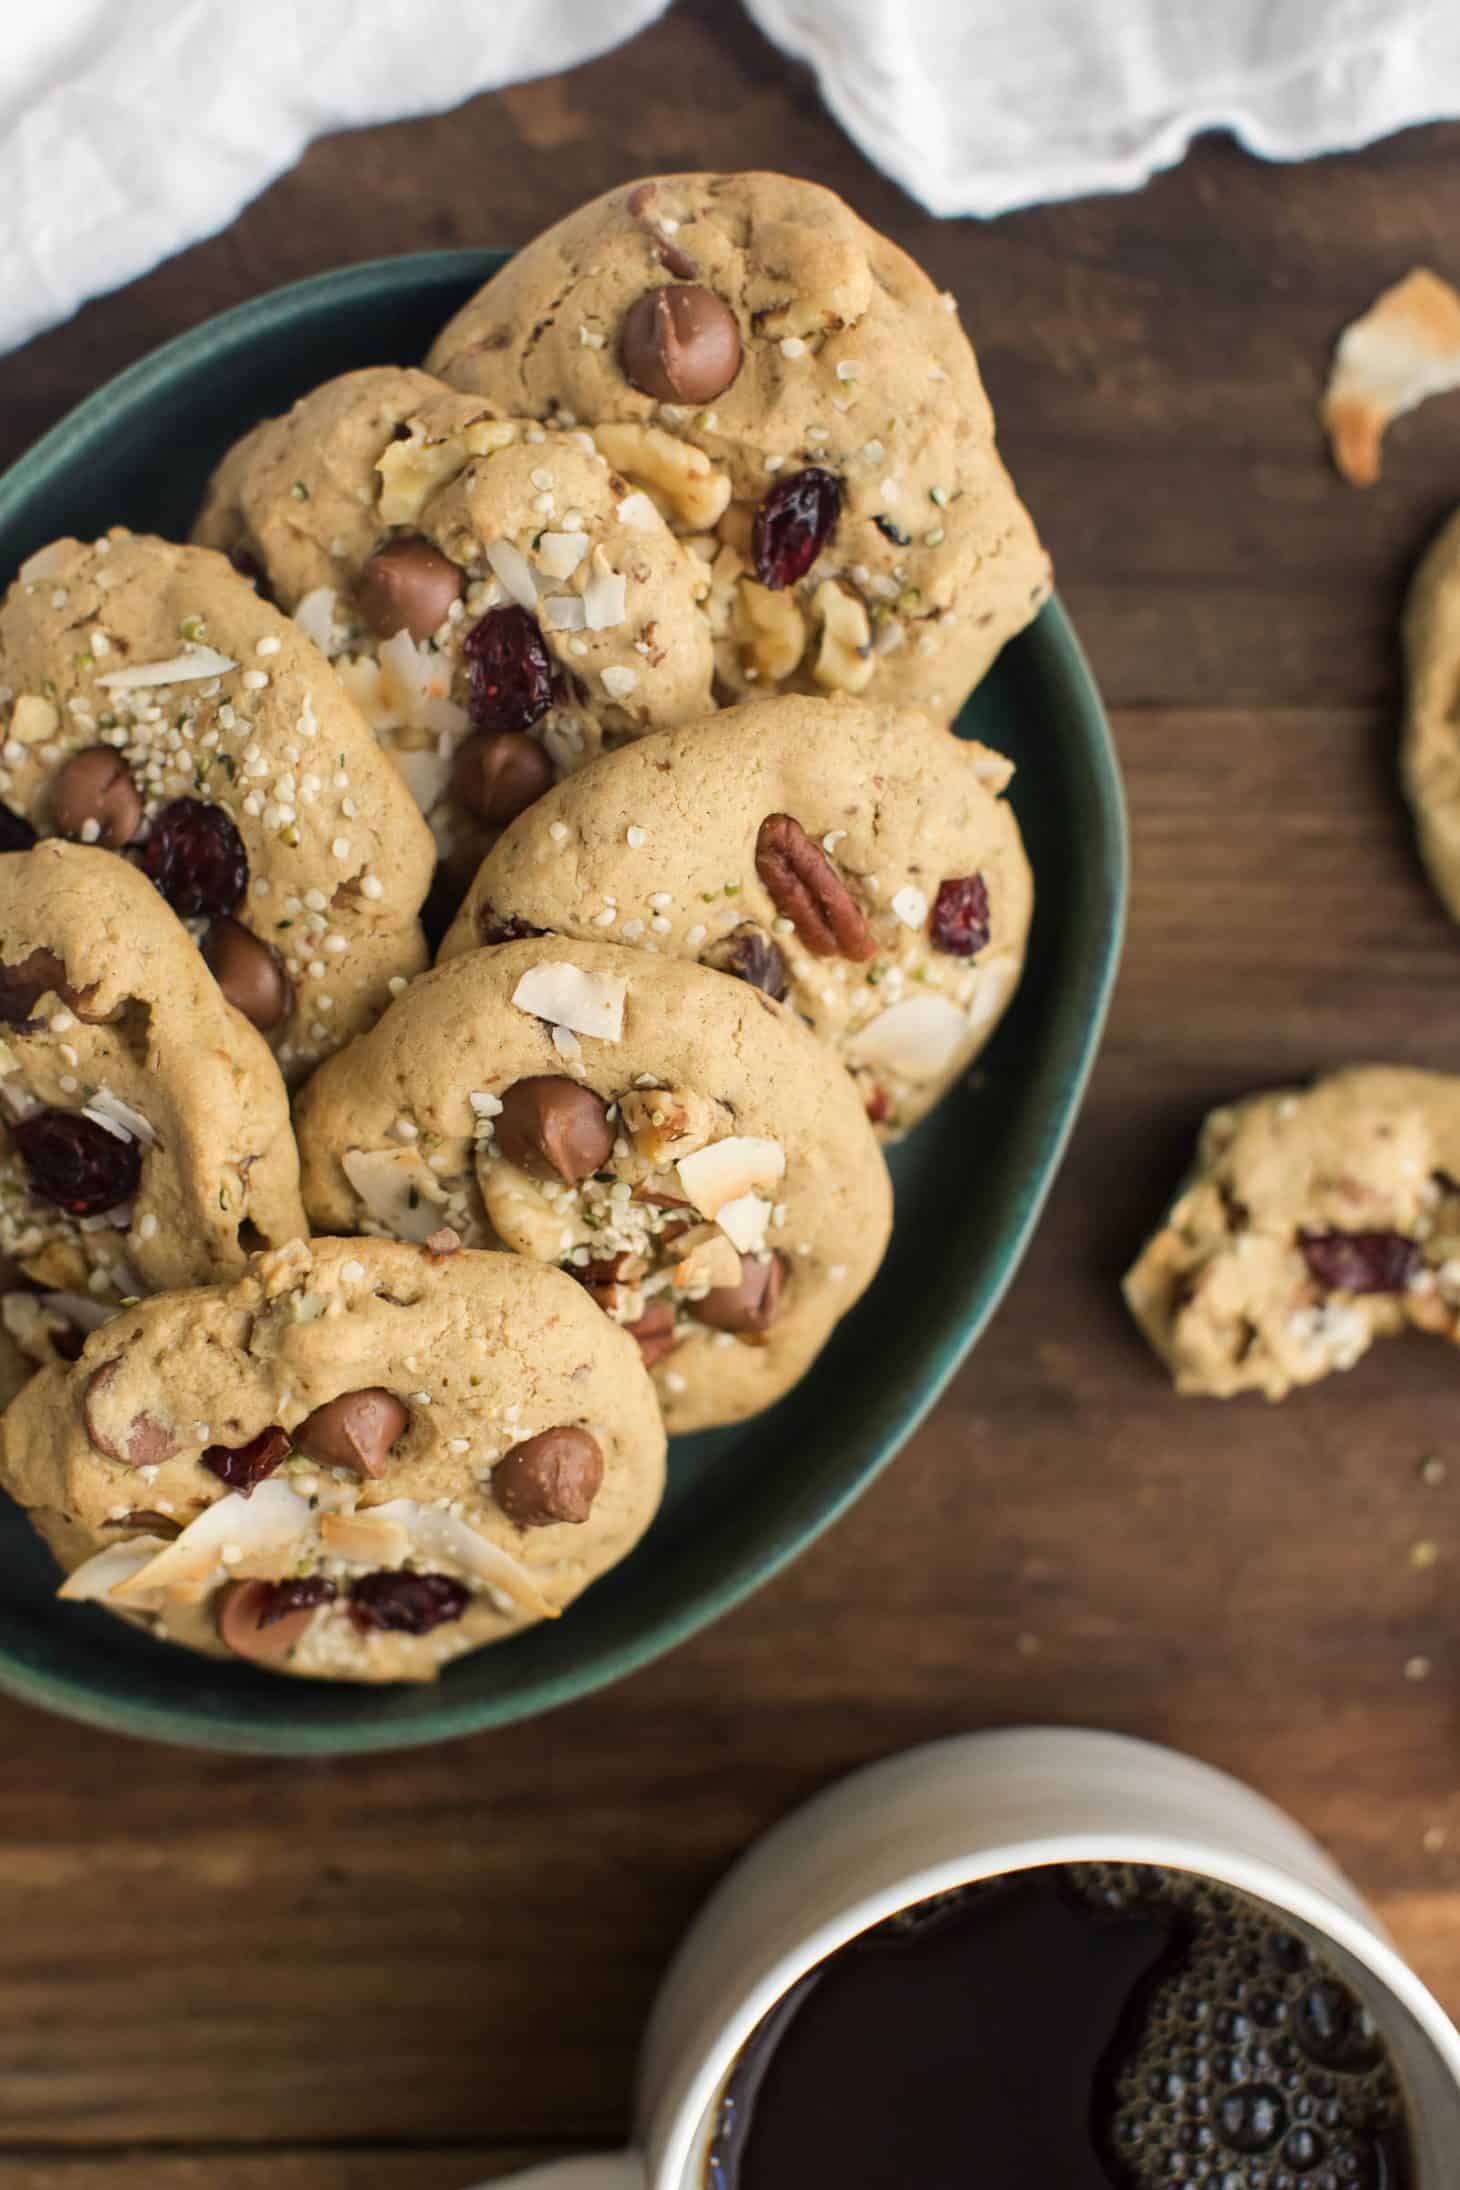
977 1808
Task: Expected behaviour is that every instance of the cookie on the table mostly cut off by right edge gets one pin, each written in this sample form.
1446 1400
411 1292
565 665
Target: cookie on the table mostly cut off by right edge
1430 752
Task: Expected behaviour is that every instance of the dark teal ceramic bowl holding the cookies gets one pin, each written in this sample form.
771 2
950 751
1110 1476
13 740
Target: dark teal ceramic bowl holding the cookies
971 1182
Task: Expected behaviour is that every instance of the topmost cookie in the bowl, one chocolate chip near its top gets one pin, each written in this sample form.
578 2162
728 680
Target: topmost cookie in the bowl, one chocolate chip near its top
802 404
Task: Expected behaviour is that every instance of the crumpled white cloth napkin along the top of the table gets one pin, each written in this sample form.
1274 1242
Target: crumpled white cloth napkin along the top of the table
132 130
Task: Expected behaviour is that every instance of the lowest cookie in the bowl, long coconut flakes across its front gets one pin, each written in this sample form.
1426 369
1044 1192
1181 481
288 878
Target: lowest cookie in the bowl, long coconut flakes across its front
356 1462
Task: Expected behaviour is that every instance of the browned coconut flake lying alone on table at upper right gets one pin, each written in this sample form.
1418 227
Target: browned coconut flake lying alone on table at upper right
1404 349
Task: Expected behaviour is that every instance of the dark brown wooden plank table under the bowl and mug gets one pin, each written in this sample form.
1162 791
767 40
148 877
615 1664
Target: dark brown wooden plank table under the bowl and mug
408 1972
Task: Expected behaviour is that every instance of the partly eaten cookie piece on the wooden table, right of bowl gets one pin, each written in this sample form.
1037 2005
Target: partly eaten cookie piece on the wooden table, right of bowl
1314 1223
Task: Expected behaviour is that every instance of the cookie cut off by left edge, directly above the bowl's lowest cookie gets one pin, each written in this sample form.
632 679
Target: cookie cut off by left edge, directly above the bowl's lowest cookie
146 1122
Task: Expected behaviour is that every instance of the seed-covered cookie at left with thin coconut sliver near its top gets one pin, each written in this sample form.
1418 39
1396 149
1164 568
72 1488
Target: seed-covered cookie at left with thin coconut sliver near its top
159 708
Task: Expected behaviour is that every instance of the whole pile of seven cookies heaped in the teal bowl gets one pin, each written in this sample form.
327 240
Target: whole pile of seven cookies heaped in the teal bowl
621 645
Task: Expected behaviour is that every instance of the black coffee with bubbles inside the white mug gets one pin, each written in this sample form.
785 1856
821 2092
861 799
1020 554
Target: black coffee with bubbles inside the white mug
1085 2029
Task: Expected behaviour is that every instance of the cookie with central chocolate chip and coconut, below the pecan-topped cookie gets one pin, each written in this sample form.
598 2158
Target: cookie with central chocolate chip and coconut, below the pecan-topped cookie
673 1140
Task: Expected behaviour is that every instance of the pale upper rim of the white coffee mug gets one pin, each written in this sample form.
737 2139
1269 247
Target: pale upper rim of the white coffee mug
1266 1882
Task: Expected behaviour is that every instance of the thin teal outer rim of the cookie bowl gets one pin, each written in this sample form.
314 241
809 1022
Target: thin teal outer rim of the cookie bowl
450 1720
